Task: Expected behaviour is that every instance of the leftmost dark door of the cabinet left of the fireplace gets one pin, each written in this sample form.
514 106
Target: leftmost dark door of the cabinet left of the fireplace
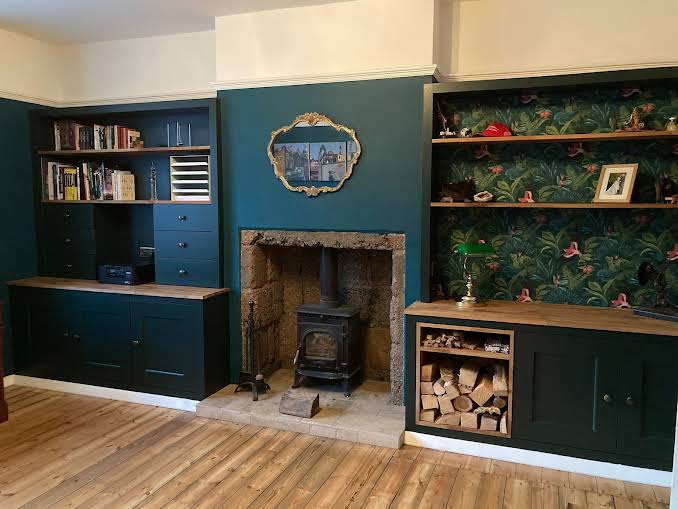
50 347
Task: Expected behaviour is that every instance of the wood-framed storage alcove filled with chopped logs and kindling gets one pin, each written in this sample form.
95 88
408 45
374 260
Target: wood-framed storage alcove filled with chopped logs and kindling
464 378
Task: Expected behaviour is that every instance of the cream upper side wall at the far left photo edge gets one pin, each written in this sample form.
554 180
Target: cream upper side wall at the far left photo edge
29 69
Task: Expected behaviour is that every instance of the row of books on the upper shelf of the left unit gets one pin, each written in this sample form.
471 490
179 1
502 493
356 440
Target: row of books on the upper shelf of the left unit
71 135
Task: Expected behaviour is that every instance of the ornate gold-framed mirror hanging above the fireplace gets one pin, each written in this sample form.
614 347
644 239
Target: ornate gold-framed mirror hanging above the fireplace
313 155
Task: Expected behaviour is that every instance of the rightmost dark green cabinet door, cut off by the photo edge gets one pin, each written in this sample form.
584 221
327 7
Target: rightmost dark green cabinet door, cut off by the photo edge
648 376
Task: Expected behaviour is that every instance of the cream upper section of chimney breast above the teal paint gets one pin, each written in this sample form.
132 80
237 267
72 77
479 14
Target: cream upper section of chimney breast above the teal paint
350 40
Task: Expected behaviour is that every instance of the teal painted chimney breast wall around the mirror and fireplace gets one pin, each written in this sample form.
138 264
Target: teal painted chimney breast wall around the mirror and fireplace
383 195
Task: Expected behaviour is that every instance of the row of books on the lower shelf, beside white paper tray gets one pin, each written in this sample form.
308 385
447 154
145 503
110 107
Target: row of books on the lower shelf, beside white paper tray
86 181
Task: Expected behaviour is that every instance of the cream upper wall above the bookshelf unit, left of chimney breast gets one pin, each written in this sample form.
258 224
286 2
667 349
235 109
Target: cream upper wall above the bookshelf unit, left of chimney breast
146 69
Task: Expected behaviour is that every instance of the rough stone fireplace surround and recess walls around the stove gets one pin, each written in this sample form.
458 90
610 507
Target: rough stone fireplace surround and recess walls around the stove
280 271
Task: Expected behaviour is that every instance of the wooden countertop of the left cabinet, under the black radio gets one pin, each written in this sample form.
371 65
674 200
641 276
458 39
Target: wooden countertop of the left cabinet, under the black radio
145 290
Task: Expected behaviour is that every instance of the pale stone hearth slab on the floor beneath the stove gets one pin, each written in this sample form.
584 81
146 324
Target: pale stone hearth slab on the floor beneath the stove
366 417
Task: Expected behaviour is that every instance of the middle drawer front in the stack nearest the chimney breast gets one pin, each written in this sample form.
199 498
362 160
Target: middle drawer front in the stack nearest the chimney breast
184 244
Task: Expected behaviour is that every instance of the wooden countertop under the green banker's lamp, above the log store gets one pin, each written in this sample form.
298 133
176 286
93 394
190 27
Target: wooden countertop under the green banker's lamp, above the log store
550 315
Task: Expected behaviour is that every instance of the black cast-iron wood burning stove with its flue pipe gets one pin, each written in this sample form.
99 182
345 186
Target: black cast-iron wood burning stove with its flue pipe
328 334
